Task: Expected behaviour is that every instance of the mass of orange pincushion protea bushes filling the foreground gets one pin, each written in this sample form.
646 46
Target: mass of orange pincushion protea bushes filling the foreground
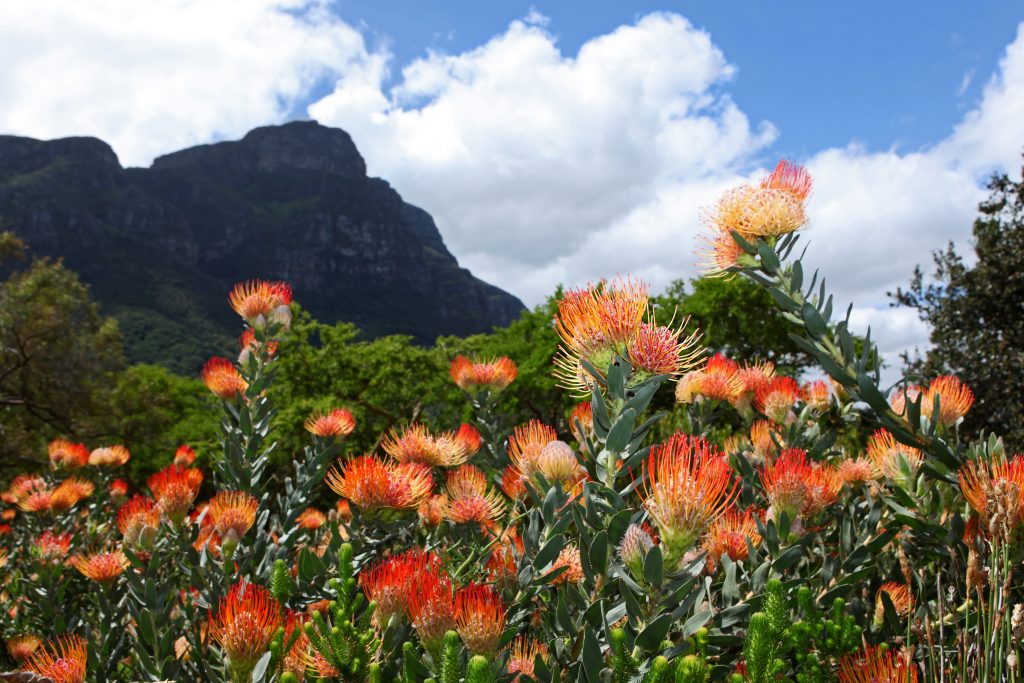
844 534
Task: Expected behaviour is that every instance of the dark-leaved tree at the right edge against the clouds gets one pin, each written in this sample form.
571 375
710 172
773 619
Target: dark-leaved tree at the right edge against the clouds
976 315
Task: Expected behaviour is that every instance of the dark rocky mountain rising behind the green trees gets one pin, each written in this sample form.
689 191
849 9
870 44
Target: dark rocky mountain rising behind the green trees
161 247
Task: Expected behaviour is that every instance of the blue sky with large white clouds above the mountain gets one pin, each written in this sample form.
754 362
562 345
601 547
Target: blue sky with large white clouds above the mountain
563 143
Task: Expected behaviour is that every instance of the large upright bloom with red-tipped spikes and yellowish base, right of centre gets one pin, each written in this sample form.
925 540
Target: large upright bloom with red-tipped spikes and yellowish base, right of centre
688 486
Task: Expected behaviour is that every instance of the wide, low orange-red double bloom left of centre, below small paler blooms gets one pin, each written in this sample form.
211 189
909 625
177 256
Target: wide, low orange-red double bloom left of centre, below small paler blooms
372 485
